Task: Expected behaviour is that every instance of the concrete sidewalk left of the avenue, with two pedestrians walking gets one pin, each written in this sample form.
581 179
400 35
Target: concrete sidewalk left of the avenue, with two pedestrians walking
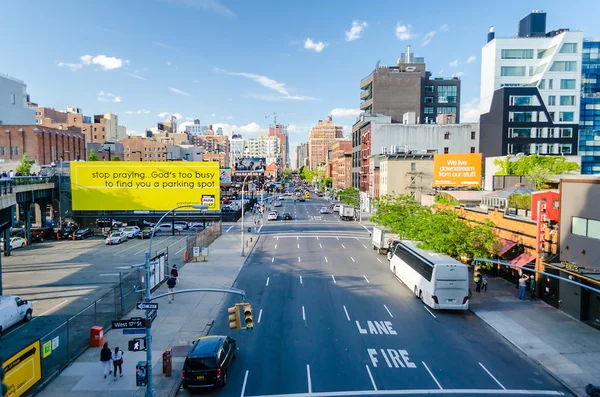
177 326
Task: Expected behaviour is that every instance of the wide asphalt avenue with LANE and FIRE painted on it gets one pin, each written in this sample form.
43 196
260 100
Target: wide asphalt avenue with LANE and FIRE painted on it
330 318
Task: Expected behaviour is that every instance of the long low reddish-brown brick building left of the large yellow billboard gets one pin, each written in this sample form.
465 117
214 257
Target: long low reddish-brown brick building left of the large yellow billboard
42 144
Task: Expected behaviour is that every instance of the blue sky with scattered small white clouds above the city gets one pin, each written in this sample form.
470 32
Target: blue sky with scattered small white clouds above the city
233 62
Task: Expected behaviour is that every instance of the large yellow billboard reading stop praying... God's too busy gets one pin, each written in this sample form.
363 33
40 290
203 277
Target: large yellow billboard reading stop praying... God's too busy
125 186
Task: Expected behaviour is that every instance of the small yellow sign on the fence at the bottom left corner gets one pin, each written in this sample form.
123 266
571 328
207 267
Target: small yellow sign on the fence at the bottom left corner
23 370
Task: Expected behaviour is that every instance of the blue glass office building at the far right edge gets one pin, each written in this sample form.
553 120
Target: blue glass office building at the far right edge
589 121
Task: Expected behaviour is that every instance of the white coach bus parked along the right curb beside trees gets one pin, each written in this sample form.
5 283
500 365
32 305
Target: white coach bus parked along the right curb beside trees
440 281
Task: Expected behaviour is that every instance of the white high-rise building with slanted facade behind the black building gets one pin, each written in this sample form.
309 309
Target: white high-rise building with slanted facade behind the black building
550 61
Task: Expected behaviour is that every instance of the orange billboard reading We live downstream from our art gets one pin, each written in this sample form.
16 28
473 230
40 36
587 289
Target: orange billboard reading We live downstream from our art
457 169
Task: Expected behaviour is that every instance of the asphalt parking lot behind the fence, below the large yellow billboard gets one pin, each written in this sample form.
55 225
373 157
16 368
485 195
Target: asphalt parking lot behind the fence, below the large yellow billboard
62 278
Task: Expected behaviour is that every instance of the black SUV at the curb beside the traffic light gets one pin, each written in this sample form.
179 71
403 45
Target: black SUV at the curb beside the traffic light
208 361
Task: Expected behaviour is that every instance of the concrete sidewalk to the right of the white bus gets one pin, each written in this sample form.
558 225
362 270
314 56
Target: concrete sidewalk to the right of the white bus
564 346
